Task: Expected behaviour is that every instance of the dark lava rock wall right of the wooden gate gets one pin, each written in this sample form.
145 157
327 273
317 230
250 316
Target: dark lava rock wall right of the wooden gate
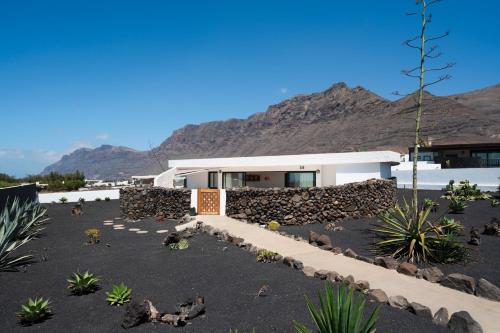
311 205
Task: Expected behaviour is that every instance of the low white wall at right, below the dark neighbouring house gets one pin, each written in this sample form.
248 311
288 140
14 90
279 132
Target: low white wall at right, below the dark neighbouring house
487 179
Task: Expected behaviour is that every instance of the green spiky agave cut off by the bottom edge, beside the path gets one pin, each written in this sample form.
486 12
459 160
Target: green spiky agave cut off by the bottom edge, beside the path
340 312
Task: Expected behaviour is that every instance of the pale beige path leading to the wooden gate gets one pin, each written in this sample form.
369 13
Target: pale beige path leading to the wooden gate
432 295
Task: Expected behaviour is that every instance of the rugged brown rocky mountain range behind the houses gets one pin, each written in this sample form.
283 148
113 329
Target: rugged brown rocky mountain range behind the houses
339 119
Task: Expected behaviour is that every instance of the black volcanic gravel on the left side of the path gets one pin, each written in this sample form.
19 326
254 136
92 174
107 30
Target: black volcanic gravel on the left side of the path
227 278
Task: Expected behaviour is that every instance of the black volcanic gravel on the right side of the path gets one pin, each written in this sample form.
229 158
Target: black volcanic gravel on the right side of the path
485 259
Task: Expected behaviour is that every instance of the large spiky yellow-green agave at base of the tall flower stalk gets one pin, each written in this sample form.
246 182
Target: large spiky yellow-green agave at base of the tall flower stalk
401 234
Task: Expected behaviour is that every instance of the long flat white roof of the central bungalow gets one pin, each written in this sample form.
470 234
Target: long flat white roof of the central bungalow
289 160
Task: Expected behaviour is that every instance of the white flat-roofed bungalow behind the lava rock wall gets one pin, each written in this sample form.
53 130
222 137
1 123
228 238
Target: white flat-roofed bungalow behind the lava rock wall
278 171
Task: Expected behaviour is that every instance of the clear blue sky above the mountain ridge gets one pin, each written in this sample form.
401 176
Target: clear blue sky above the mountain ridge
84 73
